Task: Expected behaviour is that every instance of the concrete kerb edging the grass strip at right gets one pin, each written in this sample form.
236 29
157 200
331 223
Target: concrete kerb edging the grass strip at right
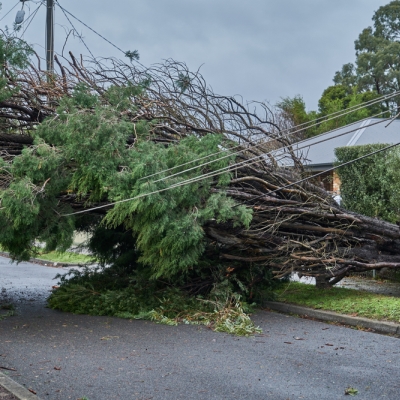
378 326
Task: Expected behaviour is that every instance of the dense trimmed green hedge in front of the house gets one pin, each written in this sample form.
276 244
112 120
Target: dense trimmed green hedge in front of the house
370 186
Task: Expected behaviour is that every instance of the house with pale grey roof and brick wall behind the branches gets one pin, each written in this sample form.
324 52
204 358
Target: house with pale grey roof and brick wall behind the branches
318 152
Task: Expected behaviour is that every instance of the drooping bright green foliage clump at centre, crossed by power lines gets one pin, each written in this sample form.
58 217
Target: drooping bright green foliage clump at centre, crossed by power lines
168 224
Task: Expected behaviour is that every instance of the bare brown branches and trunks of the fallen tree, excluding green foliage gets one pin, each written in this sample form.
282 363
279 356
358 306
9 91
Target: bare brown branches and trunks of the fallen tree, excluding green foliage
296 227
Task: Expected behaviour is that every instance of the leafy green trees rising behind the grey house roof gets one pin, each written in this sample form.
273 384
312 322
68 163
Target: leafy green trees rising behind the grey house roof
375 73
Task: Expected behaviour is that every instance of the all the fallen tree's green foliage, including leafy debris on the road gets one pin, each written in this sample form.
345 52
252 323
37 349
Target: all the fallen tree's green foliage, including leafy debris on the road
152 249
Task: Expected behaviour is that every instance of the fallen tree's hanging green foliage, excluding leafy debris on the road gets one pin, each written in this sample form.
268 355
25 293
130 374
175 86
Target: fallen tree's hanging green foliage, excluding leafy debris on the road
89 158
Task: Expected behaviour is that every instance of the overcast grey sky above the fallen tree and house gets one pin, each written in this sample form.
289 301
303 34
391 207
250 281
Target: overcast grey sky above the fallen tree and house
260 49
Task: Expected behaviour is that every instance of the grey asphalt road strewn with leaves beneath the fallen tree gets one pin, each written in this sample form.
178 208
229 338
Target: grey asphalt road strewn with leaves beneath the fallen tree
65 356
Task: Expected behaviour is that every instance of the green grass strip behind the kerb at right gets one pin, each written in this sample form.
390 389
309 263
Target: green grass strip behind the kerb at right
341 300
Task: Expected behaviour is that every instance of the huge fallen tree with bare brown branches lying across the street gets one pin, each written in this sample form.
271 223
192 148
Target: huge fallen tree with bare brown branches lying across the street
211 198
